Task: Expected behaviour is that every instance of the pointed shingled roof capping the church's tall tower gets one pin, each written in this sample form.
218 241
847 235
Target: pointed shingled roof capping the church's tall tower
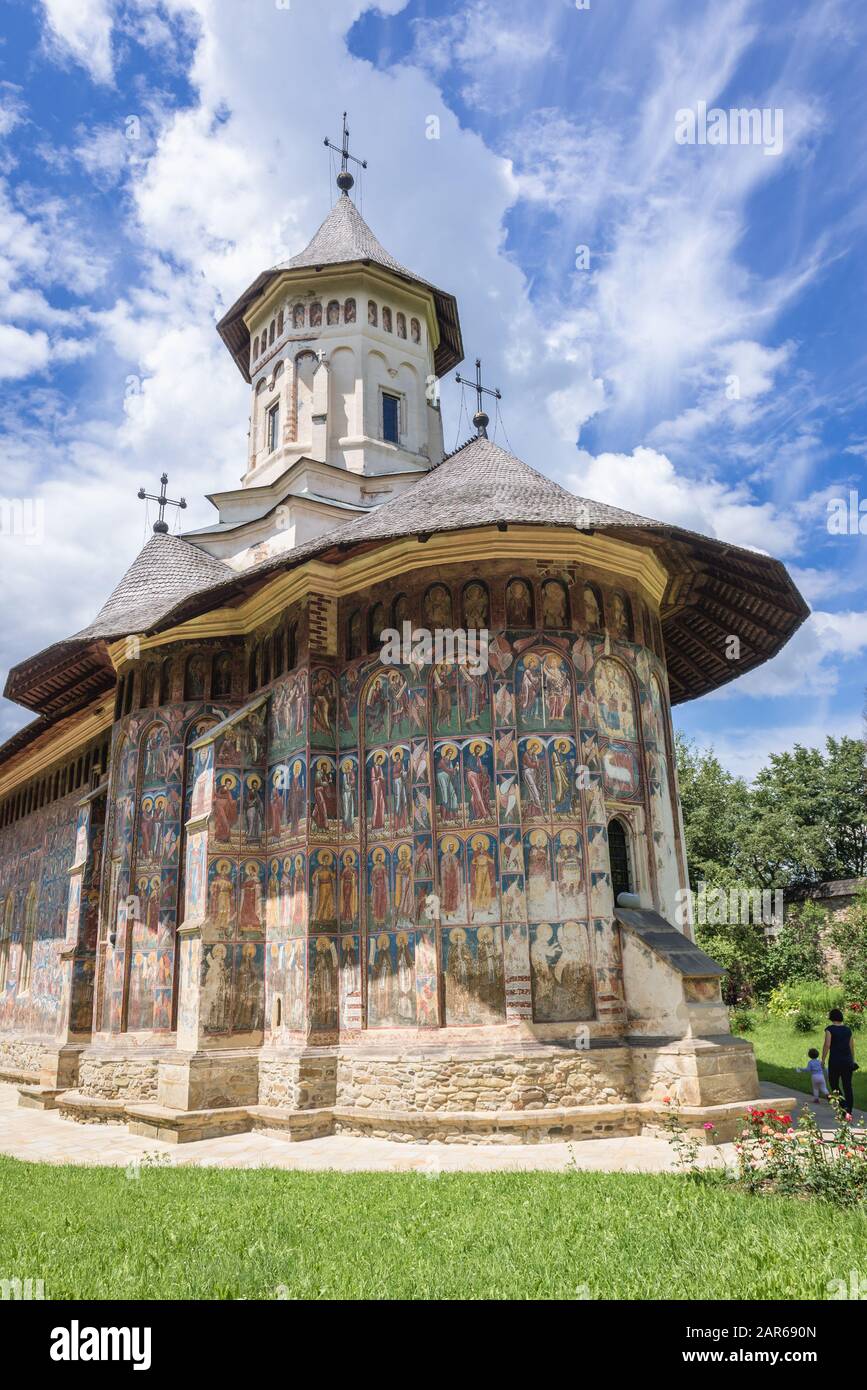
344 240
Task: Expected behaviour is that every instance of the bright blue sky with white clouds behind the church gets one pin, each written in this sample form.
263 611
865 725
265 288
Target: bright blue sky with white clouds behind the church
705 365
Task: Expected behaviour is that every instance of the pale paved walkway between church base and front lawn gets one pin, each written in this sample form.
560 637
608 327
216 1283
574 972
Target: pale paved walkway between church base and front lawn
42 1136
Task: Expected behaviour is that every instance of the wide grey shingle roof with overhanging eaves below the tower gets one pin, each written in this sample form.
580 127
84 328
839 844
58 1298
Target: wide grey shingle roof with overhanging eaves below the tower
715 591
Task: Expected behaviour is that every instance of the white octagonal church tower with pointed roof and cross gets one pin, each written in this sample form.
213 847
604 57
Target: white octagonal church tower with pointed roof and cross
342 348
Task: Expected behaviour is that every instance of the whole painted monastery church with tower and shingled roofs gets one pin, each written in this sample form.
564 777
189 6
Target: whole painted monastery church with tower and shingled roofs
256 876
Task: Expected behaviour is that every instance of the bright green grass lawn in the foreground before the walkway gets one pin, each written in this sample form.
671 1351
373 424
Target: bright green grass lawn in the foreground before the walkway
241 1234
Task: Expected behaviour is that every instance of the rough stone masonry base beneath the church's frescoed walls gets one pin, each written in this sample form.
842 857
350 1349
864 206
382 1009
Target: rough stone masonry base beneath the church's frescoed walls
459 1095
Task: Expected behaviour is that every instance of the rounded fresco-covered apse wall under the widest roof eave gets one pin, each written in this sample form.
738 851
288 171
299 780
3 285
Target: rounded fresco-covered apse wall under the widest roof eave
476 806
